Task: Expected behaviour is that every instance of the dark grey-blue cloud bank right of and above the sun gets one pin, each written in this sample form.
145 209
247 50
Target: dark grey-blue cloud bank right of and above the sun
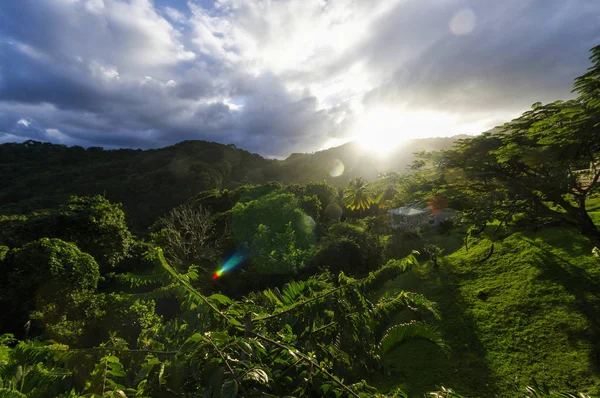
518 53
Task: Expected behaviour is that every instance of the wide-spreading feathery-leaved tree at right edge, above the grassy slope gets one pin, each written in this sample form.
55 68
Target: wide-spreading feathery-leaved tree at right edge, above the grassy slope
533 165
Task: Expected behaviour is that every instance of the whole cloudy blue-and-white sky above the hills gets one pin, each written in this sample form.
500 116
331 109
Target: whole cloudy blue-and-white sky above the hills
282 76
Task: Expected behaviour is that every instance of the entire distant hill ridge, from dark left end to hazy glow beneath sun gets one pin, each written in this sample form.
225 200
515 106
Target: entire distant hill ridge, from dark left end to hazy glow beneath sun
35 175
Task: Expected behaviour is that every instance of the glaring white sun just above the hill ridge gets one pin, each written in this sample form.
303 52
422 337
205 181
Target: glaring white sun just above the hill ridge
382 130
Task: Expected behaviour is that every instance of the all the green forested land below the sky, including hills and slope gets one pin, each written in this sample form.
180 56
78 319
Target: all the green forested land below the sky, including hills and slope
204 270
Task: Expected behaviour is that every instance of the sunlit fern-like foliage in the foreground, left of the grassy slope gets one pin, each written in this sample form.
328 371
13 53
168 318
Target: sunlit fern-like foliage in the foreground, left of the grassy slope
288 342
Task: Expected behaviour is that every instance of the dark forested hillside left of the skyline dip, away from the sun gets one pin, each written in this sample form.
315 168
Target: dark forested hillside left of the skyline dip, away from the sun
37 175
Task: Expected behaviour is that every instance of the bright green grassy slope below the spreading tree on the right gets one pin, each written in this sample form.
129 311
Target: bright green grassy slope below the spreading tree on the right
531 310
